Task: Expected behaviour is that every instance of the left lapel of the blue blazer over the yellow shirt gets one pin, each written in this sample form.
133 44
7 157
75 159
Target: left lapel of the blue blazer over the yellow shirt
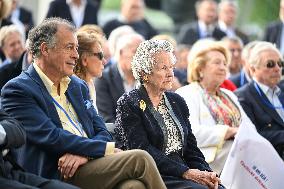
52 112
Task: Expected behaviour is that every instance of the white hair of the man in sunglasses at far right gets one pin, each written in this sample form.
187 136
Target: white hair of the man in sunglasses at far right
255 58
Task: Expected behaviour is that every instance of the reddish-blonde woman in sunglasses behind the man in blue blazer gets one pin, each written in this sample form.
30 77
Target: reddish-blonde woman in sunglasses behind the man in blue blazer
91 60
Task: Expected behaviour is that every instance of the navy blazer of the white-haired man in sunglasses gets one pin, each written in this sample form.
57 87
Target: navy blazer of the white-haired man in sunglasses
267 121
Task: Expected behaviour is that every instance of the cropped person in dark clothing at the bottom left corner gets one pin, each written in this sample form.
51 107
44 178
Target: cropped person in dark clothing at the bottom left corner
12 175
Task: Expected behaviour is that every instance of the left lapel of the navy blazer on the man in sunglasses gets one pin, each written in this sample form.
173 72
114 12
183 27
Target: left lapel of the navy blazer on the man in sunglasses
260 100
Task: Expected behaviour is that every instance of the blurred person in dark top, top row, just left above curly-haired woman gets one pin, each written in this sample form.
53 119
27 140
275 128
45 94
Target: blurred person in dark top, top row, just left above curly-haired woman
132 14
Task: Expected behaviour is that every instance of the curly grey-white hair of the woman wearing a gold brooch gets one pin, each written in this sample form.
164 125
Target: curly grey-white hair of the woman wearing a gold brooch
144 61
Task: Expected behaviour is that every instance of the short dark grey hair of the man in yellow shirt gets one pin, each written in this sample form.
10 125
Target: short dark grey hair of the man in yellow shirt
45 32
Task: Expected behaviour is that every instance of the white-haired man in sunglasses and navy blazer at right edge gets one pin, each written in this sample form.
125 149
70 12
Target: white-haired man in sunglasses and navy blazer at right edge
262 99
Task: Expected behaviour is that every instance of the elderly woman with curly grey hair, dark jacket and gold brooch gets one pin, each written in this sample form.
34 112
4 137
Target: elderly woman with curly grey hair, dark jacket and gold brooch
154 120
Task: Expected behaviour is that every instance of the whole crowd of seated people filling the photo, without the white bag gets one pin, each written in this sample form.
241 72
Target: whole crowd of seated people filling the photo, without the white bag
175 105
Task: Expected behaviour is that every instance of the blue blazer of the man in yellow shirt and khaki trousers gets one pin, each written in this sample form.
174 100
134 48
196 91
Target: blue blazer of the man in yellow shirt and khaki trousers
27 99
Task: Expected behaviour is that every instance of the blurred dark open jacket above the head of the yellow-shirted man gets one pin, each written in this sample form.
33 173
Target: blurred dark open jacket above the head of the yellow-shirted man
59 8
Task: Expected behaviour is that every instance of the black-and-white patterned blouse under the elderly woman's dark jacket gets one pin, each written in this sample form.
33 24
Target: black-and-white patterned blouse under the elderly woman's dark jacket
174 143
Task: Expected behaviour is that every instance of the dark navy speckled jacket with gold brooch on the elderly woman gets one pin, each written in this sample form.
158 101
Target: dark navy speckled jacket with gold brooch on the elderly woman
140 129
